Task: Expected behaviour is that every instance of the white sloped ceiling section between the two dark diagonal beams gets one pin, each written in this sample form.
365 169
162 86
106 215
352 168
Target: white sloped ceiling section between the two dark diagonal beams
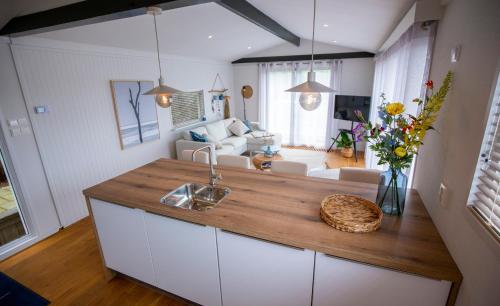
182 31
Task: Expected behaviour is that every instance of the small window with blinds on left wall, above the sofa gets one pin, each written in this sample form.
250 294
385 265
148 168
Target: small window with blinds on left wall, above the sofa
187 108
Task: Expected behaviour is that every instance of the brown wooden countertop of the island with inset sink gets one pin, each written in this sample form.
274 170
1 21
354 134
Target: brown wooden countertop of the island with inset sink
285 209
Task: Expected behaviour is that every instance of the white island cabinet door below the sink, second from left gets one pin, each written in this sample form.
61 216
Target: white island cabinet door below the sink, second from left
185 259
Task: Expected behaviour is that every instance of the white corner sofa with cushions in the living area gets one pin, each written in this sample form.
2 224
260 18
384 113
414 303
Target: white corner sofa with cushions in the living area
229 143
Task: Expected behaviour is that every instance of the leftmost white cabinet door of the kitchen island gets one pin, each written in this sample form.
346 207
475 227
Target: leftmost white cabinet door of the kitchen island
123 239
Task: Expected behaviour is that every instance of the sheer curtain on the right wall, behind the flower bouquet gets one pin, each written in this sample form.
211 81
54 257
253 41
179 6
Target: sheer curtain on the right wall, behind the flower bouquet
400 73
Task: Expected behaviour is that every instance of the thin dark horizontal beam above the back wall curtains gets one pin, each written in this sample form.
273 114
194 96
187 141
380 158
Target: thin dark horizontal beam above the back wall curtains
304 57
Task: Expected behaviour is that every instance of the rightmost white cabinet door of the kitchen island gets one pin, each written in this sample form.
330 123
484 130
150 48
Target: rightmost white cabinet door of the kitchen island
339 282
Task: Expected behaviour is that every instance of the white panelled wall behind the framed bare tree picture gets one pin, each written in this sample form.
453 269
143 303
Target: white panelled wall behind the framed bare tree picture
78 137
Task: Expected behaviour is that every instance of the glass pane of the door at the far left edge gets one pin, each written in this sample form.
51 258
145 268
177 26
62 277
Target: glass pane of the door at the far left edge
12 223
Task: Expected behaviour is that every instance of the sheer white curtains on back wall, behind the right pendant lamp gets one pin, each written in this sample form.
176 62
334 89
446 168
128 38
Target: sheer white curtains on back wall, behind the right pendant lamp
280 111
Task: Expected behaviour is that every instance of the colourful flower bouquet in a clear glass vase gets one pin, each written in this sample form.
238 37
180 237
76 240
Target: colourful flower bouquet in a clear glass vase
396 138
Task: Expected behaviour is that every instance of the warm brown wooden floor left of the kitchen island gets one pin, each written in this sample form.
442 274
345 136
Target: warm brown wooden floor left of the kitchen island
66 269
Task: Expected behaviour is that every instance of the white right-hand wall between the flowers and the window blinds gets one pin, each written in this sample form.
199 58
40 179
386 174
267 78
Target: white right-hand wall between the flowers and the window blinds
450 154
